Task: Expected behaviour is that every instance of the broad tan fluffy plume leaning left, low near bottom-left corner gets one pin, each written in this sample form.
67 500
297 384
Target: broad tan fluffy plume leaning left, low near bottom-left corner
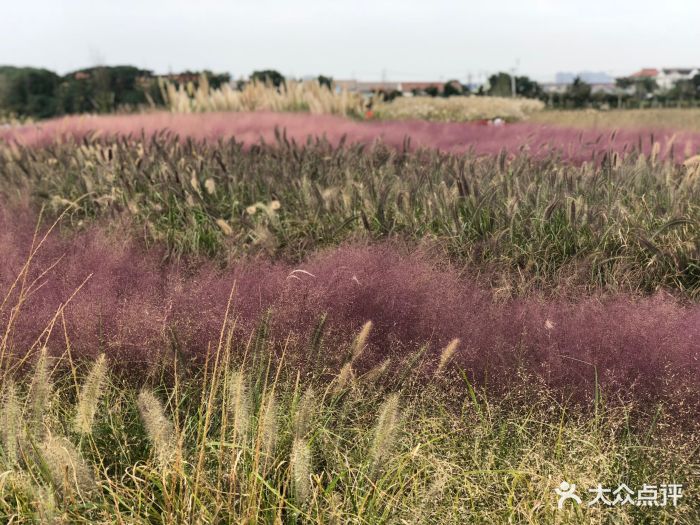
67 468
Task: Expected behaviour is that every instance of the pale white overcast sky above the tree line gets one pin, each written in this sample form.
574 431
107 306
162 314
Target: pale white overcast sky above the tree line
366 39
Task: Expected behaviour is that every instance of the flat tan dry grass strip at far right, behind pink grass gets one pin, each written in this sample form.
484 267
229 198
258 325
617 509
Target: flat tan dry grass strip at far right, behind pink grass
668 118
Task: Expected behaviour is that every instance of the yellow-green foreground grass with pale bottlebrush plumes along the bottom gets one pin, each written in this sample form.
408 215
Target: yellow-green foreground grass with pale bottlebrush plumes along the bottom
345 459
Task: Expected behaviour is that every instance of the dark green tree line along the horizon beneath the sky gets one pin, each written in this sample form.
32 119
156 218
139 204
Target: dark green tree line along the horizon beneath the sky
41 93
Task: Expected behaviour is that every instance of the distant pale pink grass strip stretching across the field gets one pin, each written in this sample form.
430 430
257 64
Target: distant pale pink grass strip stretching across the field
539 140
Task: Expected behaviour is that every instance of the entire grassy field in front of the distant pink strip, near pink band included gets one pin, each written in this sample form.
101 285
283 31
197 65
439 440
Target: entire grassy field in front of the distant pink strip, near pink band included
331 332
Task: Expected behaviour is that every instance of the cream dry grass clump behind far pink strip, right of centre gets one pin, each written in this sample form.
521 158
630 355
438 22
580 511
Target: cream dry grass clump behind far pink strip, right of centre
458 109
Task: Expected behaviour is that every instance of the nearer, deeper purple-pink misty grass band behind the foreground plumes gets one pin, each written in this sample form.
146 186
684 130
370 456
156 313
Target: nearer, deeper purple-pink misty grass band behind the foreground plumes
132 307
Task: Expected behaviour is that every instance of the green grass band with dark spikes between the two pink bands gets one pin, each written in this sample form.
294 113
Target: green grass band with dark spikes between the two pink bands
618 223
